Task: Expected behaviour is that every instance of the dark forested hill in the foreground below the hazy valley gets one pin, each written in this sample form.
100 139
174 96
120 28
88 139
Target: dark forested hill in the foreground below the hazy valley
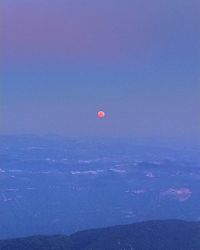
151 235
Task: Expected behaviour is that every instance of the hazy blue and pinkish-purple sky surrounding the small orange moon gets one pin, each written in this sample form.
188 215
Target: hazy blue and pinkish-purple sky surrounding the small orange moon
63 60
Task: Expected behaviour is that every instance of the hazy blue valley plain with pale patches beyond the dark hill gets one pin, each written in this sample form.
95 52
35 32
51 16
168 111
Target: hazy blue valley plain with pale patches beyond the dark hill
61 186
